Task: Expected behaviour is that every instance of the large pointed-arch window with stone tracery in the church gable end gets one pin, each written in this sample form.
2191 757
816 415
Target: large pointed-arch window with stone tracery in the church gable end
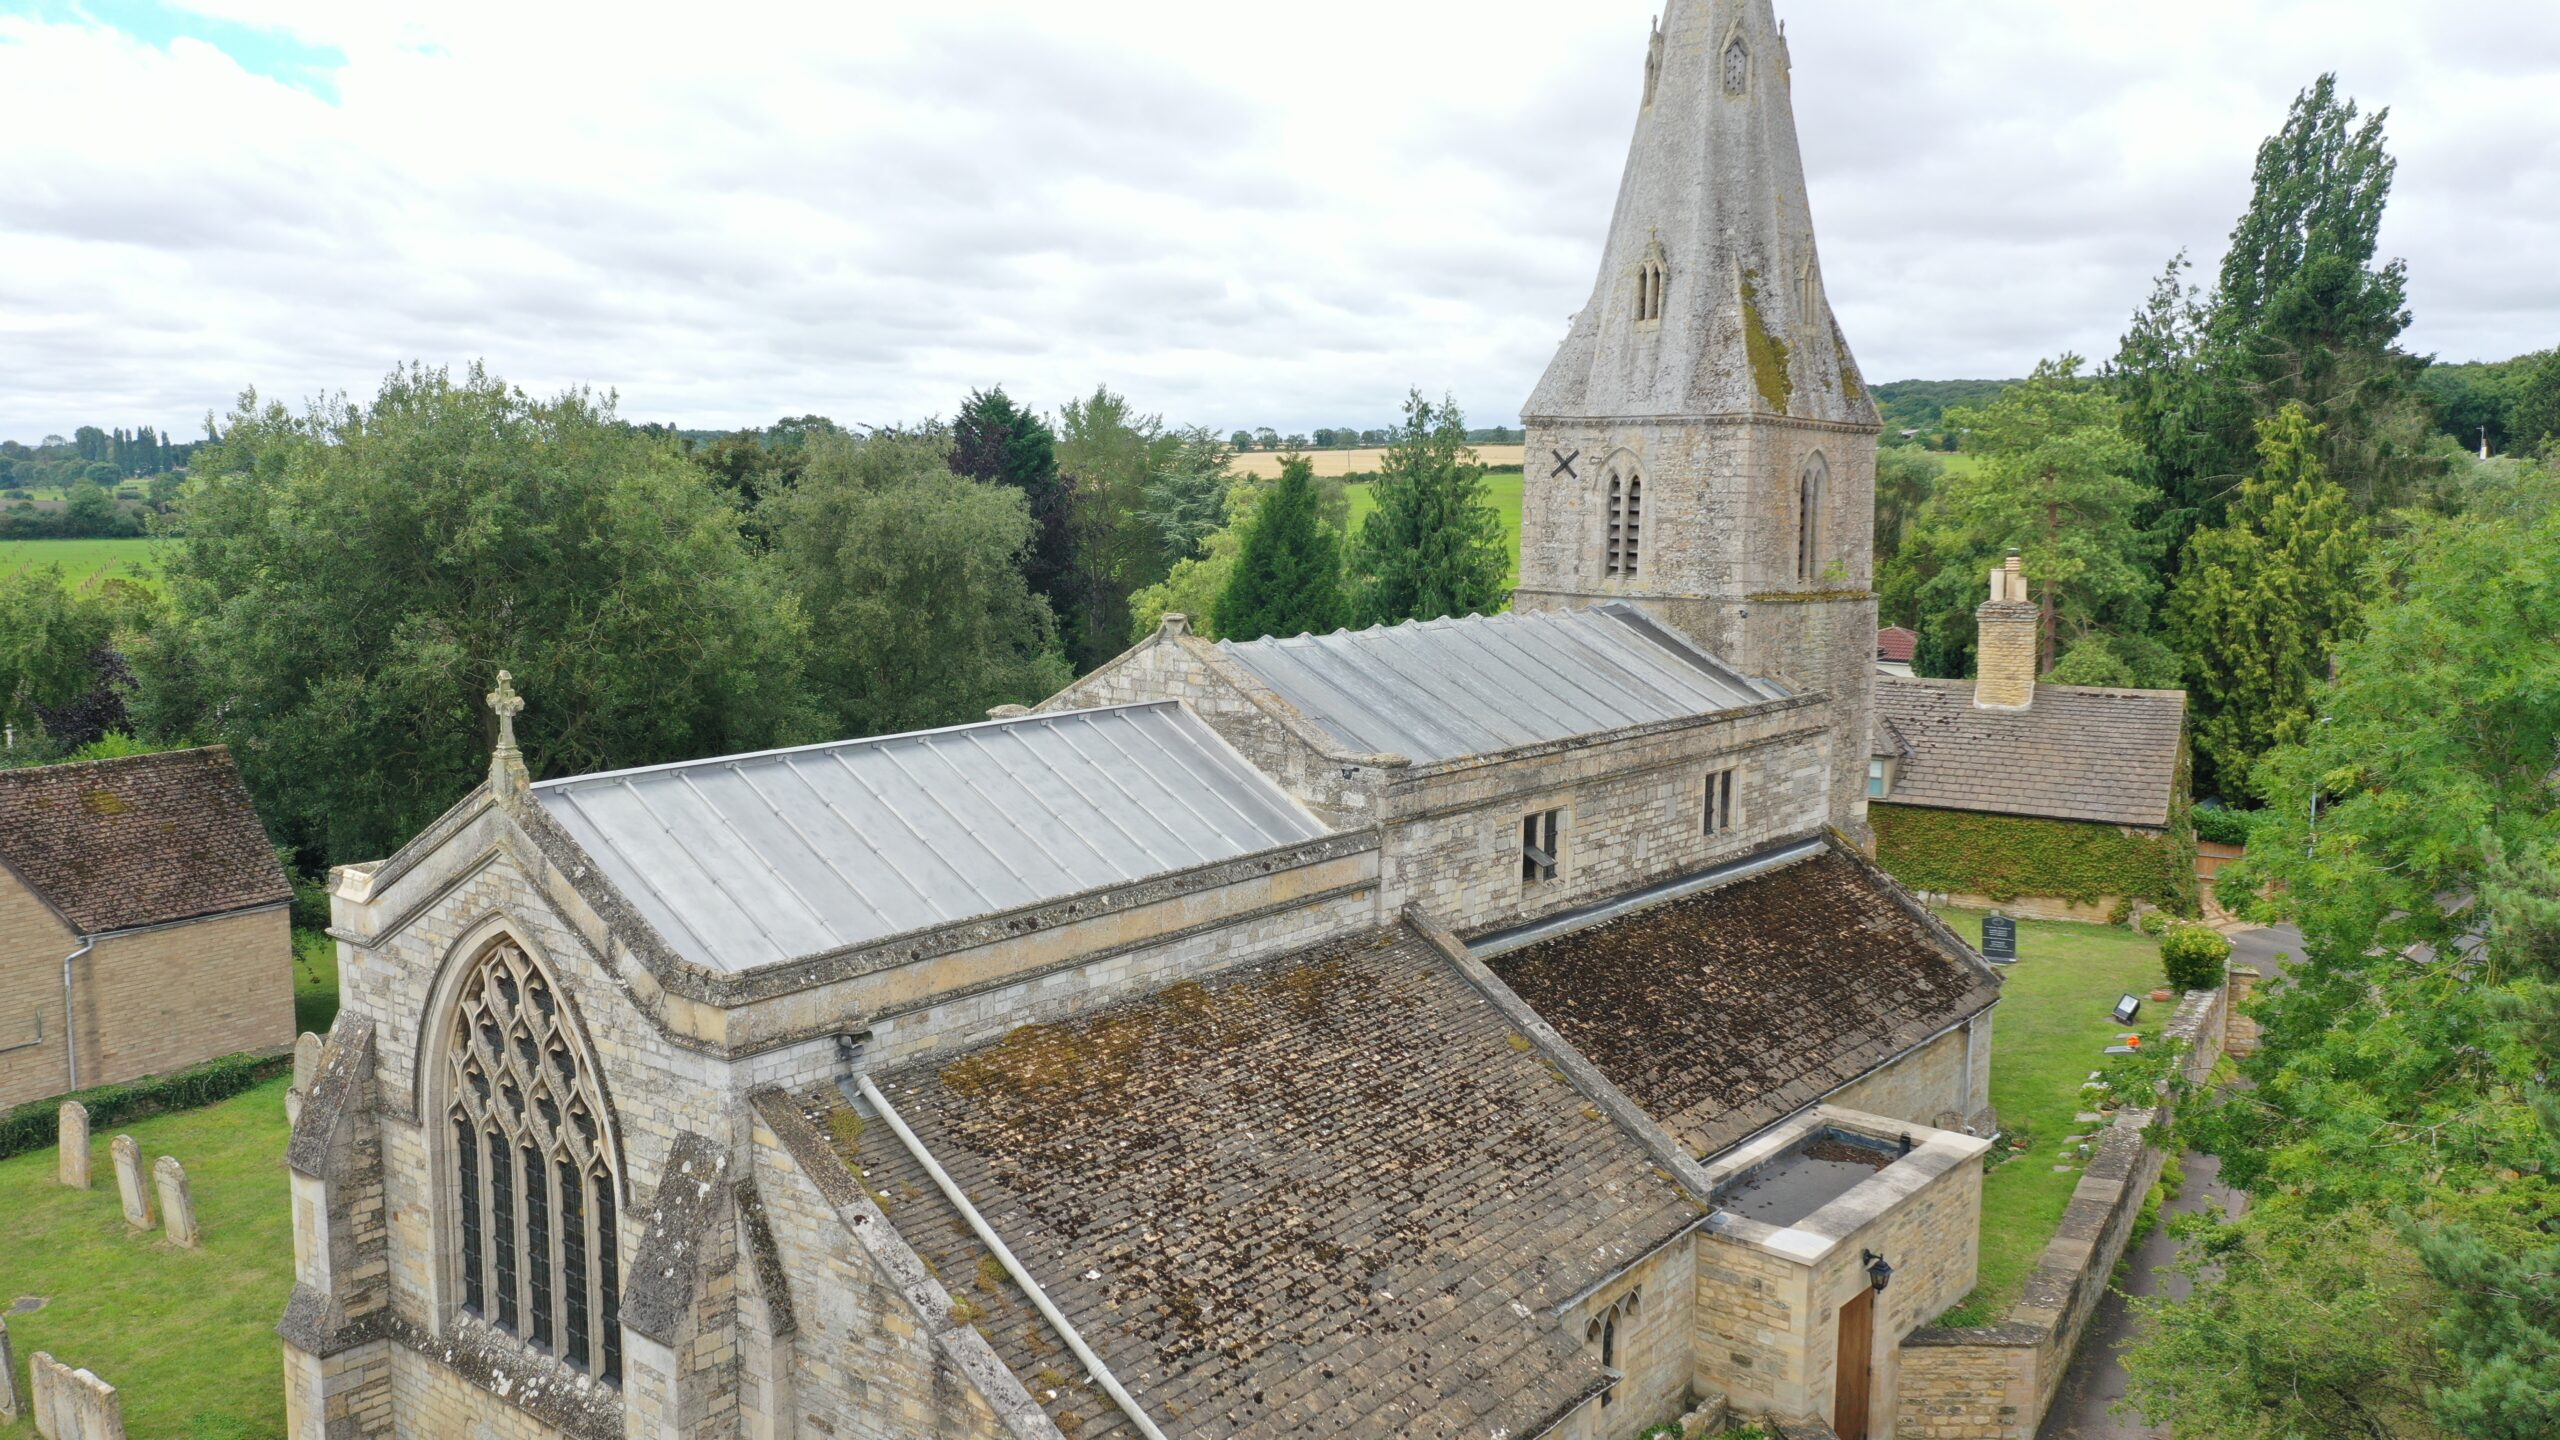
534 1170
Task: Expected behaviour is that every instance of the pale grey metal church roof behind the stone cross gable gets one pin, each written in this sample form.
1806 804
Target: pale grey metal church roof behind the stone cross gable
744 862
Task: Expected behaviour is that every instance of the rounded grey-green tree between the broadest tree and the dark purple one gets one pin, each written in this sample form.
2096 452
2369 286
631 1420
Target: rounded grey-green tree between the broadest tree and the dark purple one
910 585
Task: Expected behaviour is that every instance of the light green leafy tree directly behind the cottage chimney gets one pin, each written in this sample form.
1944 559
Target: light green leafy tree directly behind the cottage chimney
2052 480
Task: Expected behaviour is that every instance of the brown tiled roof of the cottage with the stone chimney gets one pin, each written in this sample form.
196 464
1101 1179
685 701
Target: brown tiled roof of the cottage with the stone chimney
2077 755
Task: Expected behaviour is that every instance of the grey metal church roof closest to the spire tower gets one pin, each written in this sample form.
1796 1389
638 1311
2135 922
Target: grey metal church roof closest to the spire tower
1491 683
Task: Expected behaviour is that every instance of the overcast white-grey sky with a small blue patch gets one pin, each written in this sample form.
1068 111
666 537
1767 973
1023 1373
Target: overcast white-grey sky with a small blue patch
1276 214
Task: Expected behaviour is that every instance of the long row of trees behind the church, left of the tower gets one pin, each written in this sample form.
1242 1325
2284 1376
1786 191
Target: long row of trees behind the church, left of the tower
342 583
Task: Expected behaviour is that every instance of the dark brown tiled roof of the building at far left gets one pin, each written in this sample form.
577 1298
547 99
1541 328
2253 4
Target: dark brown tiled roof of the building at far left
140 842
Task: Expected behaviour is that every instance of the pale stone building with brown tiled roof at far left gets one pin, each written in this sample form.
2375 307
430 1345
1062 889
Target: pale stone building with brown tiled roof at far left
160 885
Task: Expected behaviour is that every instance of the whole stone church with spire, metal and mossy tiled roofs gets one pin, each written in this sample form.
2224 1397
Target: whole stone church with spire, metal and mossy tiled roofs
1473 1029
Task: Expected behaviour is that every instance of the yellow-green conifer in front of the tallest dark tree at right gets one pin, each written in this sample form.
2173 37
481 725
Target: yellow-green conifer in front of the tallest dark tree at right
2264 601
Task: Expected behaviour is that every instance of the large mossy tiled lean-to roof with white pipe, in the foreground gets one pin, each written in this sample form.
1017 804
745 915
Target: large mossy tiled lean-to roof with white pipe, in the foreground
1330 1195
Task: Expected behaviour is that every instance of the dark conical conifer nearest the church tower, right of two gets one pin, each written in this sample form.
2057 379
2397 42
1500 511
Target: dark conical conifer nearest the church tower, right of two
1435 542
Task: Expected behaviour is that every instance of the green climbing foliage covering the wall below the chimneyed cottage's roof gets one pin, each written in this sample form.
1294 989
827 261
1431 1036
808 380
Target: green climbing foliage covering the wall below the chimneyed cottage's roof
2006 857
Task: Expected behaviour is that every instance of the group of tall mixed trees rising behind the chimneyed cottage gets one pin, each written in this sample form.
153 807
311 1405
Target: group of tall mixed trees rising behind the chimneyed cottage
2195 511
